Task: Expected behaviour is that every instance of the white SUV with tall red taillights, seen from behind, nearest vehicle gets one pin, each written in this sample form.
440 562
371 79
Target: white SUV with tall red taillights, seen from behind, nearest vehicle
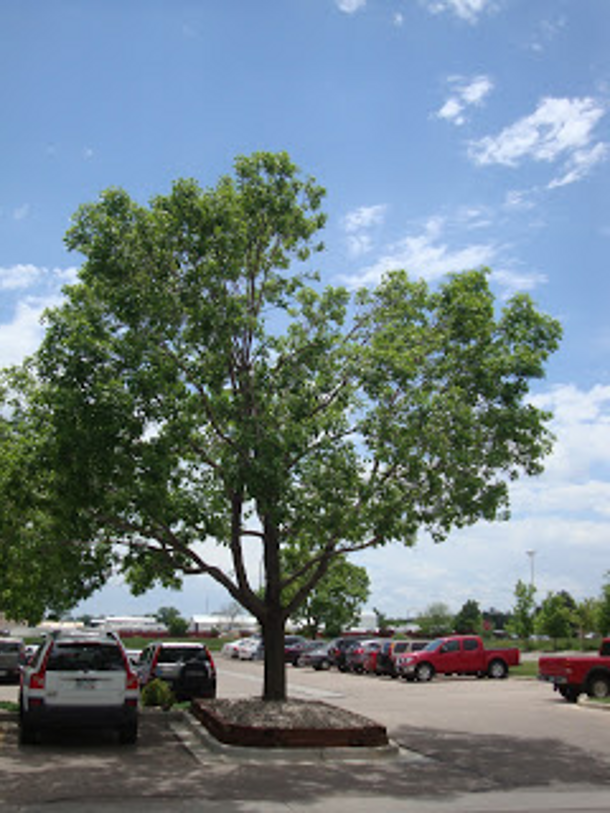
79 681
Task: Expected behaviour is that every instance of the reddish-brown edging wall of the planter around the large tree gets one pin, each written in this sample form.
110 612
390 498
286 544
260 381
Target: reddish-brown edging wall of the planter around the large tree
367 735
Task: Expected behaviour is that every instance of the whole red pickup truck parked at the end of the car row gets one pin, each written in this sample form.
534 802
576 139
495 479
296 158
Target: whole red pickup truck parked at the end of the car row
457 655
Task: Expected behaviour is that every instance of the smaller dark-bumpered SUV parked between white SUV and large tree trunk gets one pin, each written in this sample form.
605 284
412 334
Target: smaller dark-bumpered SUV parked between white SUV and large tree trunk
188 668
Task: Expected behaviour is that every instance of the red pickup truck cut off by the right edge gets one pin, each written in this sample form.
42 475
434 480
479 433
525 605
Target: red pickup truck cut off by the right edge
572 675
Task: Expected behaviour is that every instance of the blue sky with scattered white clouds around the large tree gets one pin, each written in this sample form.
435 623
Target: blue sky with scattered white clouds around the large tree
449 134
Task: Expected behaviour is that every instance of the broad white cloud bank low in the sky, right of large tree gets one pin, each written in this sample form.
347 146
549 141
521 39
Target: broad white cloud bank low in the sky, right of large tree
564 515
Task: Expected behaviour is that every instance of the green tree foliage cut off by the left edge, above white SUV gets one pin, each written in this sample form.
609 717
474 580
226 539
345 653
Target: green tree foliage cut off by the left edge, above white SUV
37 575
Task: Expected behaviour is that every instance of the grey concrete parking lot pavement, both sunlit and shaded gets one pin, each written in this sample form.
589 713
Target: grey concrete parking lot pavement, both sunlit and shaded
466 744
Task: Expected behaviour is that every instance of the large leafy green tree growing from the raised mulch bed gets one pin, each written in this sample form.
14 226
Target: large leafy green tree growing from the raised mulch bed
198 389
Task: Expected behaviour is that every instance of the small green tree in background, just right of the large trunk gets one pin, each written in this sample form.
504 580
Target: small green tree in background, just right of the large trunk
336 601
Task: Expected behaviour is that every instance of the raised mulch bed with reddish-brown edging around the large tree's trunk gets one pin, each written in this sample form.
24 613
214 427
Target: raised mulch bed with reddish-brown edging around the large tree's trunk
286 724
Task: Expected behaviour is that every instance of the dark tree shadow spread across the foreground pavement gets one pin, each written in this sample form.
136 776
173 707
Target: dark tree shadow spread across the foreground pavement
95 767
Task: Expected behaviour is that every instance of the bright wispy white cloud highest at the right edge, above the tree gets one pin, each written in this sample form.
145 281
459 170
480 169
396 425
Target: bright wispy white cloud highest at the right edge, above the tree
559 129
